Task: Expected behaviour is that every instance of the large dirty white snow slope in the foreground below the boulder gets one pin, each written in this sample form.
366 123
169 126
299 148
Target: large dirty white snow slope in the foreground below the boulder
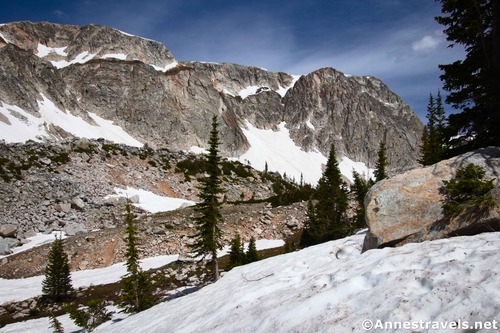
440 286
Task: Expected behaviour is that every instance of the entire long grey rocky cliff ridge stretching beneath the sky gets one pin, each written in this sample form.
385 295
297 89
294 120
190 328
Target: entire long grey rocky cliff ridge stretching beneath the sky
137 84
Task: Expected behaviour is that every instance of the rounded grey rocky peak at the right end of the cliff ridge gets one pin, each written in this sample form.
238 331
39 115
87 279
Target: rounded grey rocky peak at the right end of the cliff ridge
354 113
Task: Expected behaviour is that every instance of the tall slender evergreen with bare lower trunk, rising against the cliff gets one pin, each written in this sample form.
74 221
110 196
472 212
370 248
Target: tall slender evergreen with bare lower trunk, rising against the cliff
208 234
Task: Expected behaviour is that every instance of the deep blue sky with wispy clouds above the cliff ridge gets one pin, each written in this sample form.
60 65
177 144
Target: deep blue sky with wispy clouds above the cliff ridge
397 41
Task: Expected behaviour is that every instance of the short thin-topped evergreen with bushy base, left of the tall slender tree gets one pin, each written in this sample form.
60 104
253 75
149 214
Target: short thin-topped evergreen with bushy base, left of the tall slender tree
137 292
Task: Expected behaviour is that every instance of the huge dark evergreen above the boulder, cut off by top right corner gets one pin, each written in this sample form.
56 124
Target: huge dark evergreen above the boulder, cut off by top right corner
473 83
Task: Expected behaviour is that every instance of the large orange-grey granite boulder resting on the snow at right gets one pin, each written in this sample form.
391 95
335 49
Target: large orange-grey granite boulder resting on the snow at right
407 207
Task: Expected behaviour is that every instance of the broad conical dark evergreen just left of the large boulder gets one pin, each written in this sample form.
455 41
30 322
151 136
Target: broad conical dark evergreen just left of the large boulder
327 219
